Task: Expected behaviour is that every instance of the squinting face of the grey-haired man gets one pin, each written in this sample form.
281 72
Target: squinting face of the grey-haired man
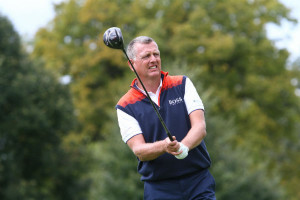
147 62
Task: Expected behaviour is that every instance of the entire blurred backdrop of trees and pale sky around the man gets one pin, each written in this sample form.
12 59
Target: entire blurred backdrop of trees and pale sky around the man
59 137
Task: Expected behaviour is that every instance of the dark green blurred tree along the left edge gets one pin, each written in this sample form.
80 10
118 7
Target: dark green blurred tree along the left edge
36 114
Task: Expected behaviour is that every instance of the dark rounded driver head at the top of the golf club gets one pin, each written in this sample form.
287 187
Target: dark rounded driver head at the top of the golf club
113 38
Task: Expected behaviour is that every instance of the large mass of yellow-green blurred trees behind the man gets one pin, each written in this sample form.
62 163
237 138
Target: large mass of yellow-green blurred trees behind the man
252 109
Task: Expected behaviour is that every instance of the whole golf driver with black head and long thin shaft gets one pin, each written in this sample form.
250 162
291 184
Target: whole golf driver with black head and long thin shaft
113 38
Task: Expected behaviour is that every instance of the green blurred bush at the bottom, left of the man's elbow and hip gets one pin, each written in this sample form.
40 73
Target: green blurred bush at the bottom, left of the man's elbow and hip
115 173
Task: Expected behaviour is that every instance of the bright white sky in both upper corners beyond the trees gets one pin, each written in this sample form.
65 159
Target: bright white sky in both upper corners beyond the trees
30 15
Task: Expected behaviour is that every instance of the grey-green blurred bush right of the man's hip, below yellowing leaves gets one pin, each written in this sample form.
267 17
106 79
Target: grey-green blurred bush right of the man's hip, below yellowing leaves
236 175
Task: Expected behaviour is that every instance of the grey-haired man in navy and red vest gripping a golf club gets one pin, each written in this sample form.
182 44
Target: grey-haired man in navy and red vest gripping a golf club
169 169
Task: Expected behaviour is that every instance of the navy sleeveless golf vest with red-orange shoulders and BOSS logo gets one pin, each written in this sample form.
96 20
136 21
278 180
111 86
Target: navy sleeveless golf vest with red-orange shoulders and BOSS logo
172 108
